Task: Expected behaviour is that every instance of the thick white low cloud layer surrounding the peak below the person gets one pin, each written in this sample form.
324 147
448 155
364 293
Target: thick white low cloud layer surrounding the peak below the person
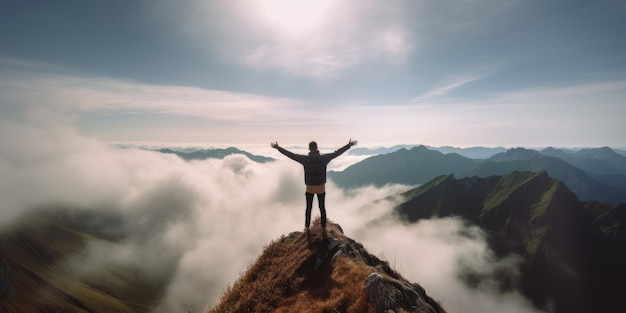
198 225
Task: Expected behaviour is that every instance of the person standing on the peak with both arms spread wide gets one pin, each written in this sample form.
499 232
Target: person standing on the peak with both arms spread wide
314 175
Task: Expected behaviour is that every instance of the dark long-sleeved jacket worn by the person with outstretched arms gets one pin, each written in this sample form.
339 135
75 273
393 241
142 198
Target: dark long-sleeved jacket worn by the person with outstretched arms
314 164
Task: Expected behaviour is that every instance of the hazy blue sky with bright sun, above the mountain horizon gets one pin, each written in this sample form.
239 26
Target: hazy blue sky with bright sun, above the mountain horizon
447 72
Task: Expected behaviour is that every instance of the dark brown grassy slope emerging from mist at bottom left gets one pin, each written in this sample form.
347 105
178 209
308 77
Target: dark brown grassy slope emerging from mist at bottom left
36 250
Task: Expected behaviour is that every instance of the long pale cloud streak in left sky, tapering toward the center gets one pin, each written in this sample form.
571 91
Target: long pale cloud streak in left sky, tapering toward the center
74 95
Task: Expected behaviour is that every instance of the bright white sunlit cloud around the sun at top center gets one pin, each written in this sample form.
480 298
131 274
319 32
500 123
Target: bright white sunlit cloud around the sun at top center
344 35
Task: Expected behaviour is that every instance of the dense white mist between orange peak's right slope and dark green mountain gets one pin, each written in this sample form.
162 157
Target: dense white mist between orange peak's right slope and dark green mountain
435 253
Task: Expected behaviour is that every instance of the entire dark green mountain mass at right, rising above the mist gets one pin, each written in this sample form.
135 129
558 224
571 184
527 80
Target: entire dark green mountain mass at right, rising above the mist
574 252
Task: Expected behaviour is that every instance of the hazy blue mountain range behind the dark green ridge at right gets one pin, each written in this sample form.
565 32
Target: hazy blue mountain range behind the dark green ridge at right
420 164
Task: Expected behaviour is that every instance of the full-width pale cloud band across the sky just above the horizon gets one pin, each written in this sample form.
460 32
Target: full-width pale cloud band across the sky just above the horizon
111 109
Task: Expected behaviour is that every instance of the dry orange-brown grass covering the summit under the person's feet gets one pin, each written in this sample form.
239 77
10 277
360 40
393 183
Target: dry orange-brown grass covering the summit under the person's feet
289 277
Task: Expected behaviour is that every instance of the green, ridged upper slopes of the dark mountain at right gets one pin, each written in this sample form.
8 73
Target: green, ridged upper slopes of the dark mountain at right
497 203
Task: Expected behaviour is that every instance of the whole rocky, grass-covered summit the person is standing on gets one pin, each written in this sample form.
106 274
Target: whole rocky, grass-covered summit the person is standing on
322 271
